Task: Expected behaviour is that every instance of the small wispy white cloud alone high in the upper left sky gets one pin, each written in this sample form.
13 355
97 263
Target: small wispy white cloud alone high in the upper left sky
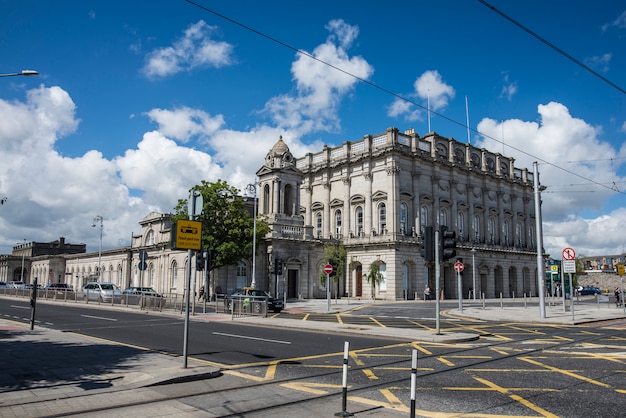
194 50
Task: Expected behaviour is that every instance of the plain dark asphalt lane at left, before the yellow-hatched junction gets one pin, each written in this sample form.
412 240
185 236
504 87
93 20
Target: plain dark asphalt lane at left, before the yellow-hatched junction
224 343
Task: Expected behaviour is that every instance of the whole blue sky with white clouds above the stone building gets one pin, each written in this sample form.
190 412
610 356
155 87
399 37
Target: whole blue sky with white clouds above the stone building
138 101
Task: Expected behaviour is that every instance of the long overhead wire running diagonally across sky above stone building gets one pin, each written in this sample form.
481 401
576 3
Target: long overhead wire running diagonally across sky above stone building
387 91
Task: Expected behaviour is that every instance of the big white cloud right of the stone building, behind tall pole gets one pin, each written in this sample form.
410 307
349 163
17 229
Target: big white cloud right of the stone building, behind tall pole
576 178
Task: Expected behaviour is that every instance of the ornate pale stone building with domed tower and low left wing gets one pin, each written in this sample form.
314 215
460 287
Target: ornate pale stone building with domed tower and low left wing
373 196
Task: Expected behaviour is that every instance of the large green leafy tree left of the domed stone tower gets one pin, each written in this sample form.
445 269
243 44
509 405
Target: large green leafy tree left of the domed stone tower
227 227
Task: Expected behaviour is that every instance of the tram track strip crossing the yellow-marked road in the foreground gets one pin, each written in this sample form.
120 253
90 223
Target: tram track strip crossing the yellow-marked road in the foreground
317 384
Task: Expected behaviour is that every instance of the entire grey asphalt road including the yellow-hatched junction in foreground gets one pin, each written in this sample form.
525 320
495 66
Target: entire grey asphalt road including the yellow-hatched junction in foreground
514 369
